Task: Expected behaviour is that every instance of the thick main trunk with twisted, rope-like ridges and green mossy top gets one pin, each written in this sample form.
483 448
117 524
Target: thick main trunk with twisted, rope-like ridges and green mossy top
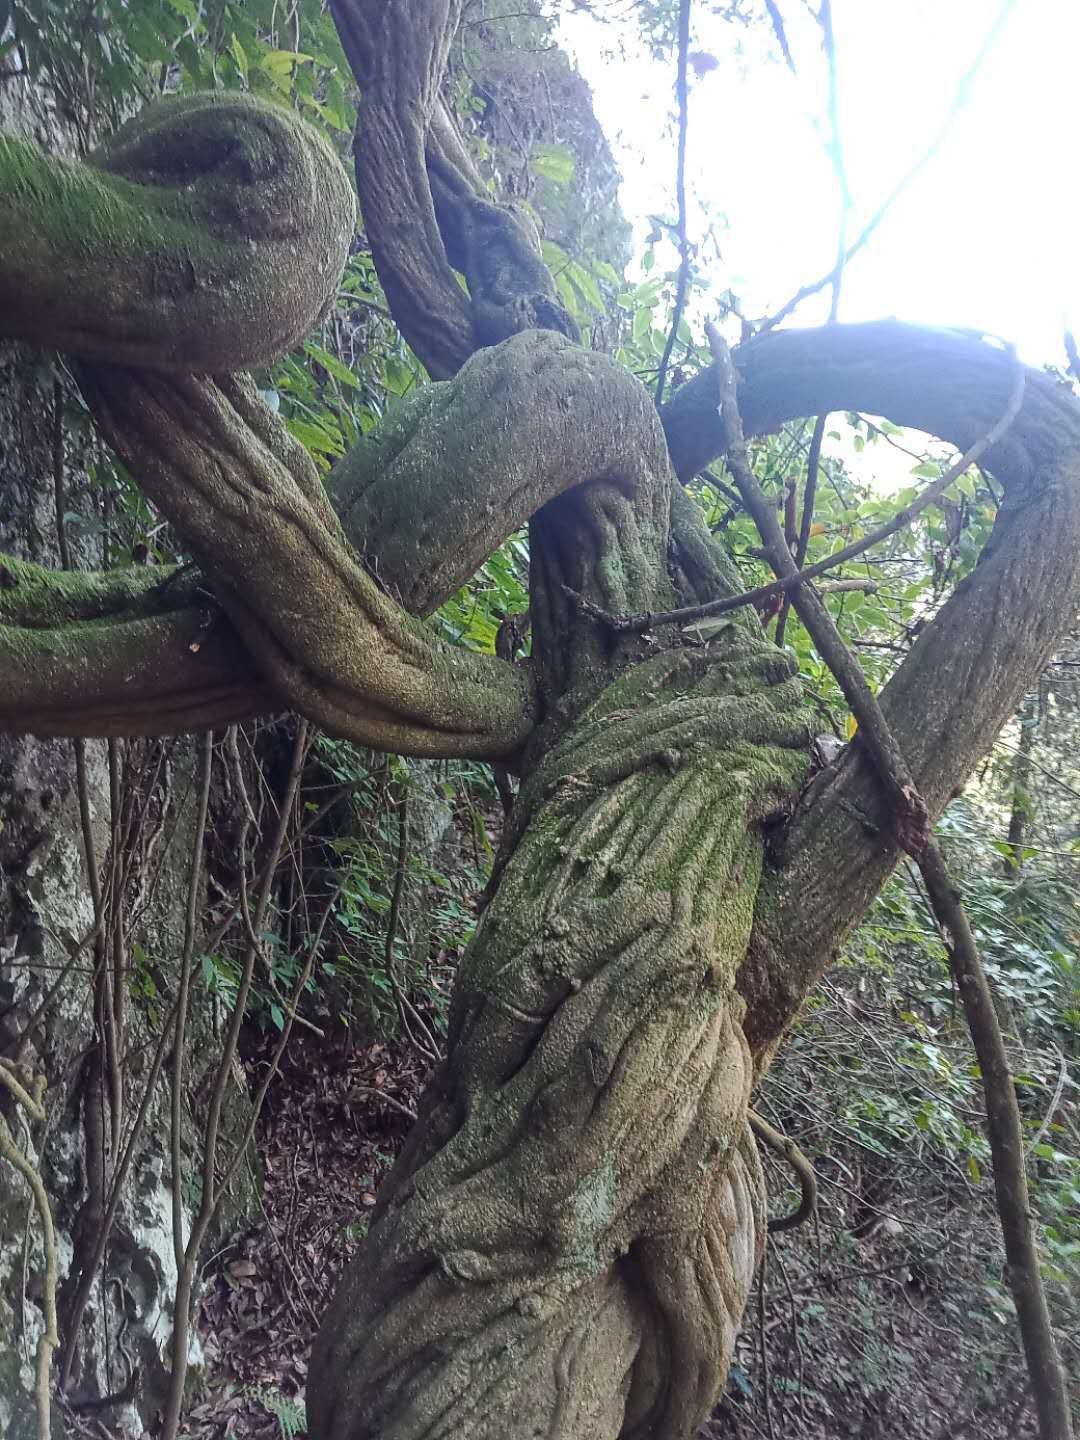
570 1238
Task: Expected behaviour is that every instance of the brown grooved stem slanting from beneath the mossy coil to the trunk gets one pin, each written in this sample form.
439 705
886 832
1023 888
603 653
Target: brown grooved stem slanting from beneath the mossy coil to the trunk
328 639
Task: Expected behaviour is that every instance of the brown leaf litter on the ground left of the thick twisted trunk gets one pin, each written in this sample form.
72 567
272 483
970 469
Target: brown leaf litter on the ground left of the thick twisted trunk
330 1130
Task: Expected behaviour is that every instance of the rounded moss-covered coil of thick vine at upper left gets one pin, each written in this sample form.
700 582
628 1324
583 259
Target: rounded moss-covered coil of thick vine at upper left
207 235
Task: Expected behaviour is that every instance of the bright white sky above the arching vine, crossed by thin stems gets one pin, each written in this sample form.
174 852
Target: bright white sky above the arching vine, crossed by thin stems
989 237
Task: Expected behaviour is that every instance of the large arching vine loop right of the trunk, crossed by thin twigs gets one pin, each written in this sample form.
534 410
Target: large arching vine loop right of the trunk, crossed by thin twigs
968 669
